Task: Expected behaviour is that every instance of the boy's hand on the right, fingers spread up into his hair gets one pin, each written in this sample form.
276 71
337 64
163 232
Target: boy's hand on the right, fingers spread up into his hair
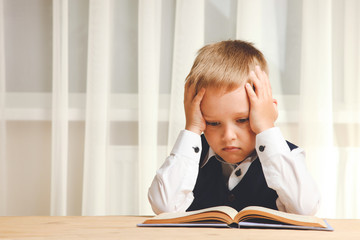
263 108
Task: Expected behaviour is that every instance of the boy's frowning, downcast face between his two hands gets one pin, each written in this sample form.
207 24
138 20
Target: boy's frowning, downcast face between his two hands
228 129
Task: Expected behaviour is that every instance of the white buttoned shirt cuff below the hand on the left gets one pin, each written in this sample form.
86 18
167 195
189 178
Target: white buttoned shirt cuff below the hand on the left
188 144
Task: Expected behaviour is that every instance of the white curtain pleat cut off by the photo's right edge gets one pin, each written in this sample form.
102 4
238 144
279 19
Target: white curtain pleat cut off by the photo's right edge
351 80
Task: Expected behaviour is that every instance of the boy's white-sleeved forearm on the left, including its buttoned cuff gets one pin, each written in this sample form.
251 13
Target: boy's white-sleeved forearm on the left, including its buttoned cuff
171 189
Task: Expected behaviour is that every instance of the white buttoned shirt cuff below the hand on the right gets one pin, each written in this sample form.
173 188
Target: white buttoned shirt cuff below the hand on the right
270 142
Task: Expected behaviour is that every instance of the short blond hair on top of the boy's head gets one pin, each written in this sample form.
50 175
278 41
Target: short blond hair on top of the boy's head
225 65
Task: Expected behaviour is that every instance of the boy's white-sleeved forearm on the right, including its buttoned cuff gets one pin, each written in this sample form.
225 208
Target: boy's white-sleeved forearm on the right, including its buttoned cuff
286 173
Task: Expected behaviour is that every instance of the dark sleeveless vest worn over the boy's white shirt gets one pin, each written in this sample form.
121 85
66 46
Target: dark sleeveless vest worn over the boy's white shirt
211 188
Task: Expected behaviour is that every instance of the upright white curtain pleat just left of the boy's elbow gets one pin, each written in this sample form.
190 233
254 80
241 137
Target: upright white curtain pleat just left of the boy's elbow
148 79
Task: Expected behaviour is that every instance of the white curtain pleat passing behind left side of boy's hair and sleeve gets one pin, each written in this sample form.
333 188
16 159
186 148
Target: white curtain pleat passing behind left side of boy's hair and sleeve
188 39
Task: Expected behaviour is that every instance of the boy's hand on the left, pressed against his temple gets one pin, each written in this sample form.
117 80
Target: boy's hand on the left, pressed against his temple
194 119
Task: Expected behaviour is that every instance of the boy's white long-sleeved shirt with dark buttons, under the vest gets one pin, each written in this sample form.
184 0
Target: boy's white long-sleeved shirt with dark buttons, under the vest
284 171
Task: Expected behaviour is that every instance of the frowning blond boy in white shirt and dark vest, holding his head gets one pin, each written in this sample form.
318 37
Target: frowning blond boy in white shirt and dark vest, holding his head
241 159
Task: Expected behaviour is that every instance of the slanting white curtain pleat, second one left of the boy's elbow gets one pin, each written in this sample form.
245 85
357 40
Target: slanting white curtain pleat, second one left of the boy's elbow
97 103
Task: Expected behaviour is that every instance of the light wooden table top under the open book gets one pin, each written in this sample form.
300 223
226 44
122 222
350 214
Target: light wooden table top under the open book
124 227
